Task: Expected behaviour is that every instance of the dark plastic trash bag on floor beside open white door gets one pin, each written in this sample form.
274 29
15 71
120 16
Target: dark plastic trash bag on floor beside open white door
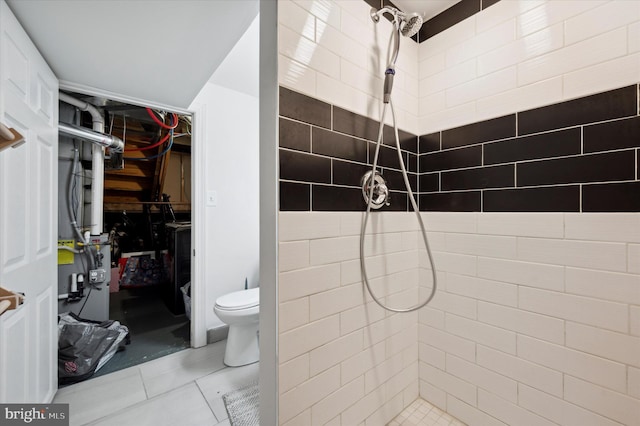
84 346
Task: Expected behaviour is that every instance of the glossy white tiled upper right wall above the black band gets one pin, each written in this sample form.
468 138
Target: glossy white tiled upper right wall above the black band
518 55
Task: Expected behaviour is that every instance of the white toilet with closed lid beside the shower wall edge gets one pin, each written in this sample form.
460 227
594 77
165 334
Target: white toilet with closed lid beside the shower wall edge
240 310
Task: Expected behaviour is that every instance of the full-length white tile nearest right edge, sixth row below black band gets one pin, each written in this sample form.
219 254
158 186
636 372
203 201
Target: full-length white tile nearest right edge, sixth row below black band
575 363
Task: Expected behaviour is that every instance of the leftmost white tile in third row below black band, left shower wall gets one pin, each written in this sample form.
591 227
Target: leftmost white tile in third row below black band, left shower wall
304 282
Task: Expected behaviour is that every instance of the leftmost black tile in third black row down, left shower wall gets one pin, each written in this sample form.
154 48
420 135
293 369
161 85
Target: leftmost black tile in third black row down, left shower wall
304 167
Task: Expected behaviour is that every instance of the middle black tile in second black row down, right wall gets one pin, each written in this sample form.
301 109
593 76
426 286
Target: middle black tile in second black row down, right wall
546 145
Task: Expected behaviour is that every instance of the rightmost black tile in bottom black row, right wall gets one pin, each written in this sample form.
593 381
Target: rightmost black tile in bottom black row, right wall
611 197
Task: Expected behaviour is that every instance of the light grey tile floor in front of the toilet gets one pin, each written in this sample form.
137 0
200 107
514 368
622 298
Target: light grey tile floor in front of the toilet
184 388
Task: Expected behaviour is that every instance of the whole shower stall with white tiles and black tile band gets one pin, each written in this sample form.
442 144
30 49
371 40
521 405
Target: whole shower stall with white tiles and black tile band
518 126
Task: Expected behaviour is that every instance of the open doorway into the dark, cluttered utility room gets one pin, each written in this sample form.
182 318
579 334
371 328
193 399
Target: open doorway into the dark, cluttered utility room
145 243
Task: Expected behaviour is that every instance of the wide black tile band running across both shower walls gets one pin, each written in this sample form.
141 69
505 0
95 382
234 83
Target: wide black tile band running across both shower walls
579 155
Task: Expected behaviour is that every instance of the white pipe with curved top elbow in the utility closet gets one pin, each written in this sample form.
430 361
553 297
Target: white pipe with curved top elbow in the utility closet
97 163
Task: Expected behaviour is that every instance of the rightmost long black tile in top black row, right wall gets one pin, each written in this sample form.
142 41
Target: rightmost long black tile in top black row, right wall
602 106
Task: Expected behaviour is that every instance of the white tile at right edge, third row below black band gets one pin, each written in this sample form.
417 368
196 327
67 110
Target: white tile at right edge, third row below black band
624 288
